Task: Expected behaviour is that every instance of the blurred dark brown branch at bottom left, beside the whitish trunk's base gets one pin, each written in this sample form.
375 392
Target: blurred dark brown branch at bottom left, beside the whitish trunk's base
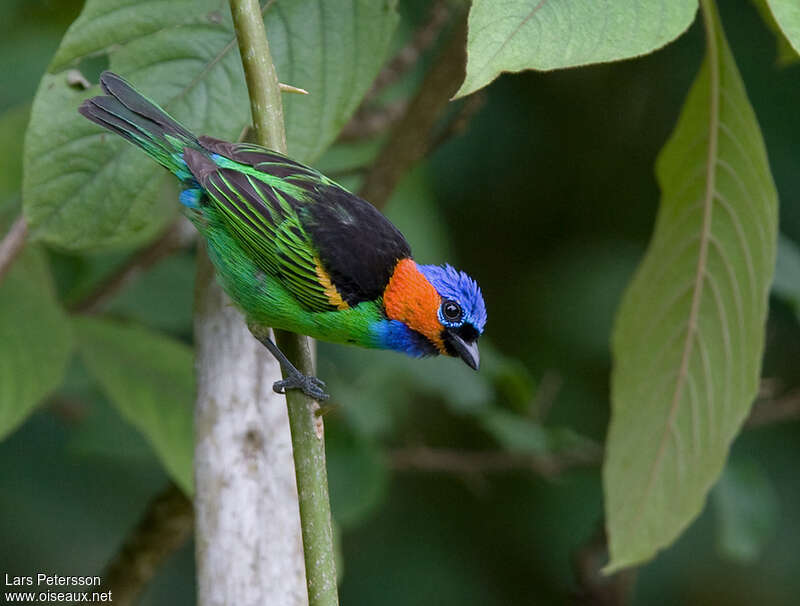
166 526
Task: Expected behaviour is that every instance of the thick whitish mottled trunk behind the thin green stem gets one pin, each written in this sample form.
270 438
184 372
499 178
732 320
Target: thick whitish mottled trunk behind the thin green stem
248 545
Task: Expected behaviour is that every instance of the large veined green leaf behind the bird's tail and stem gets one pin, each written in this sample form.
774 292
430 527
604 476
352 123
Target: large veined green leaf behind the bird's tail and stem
85 188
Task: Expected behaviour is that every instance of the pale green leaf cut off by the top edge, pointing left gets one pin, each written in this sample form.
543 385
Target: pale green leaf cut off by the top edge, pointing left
514 35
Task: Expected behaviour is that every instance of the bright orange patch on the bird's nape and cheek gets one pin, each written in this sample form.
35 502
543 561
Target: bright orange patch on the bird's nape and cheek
411 299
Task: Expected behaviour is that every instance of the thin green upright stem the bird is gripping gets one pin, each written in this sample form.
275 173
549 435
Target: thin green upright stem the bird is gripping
306 427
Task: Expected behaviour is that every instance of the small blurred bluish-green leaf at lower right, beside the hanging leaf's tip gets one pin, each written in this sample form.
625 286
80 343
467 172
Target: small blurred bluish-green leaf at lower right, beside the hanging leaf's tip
747 511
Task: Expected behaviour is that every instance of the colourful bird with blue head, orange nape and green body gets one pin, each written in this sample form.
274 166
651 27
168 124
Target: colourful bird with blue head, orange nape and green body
296 251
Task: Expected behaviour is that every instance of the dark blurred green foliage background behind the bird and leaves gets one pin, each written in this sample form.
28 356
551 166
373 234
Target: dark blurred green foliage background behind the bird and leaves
548 199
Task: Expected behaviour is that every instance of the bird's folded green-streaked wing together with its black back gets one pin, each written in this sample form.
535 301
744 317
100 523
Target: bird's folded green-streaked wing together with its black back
330 249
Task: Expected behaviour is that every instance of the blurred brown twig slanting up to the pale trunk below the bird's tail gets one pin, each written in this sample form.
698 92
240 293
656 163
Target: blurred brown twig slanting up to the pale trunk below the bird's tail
178 235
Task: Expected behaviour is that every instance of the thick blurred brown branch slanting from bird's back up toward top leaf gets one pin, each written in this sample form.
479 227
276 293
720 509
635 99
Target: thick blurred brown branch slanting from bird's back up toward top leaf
409 140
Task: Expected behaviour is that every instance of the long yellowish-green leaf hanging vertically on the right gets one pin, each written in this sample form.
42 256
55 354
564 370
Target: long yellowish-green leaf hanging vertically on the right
689 335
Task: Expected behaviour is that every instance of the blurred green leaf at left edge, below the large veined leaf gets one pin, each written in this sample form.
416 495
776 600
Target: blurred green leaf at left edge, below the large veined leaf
35 339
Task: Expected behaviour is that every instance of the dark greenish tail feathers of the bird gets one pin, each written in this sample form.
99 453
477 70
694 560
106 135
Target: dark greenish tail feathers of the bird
131 115
